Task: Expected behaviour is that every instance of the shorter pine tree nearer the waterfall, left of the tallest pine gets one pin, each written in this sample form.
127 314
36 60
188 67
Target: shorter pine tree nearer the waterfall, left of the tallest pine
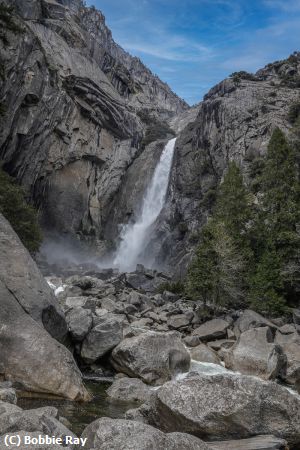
218 272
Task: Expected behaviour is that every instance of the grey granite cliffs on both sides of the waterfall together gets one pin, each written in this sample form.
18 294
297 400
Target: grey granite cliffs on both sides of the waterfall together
79 113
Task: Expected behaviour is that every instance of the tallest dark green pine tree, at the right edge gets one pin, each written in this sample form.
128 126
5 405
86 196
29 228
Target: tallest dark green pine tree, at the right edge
276 239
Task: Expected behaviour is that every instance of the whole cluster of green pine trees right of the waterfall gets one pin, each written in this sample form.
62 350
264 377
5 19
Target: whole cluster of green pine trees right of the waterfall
249 251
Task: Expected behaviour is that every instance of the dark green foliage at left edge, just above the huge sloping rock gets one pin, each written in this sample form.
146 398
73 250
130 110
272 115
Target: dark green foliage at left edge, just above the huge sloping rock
22 217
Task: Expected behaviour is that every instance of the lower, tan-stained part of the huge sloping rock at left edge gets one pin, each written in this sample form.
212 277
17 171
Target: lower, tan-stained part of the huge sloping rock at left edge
31 357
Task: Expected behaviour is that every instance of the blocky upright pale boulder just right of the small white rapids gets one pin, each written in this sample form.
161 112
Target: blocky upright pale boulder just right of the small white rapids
256 354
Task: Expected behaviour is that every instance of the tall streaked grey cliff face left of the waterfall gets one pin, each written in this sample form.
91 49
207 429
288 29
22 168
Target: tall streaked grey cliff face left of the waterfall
72 155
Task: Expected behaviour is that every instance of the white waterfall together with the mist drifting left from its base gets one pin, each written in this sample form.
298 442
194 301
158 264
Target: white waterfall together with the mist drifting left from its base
64 250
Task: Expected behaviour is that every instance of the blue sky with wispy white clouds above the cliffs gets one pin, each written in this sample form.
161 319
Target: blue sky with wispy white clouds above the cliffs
194 44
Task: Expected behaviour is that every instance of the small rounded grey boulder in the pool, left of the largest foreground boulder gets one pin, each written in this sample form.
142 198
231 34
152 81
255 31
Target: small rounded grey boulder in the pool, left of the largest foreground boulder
129 389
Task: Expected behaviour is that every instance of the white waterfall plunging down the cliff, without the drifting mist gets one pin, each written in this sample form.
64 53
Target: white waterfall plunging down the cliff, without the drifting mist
135 236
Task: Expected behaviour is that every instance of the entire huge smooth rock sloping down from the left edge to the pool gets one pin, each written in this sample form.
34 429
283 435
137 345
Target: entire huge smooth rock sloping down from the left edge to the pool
29 312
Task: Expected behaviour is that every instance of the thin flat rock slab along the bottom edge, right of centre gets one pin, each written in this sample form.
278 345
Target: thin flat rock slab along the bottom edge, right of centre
255 443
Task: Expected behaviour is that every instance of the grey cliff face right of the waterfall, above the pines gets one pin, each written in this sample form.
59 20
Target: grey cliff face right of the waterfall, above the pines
234 123
